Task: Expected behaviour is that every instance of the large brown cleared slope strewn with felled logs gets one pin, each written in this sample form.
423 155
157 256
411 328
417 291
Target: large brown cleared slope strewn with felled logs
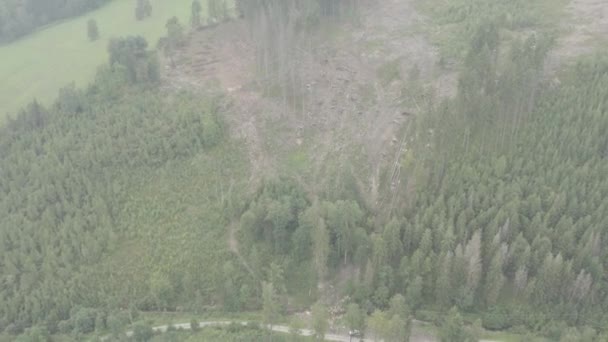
349 110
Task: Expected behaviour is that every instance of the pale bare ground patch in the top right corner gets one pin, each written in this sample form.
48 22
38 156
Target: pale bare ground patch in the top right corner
586 28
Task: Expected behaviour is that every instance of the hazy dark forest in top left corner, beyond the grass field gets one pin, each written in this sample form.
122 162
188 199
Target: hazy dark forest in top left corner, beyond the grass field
20 17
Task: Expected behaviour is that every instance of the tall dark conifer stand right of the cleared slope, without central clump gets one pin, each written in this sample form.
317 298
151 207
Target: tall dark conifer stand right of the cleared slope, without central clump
513 206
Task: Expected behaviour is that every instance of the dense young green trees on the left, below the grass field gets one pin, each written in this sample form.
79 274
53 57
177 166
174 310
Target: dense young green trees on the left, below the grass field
65 171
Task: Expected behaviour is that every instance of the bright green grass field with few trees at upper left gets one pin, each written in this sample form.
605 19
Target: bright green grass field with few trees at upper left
38 65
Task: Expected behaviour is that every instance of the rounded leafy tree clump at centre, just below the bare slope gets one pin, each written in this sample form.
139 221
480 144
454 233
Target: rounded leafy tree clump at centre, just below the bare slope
280 224
